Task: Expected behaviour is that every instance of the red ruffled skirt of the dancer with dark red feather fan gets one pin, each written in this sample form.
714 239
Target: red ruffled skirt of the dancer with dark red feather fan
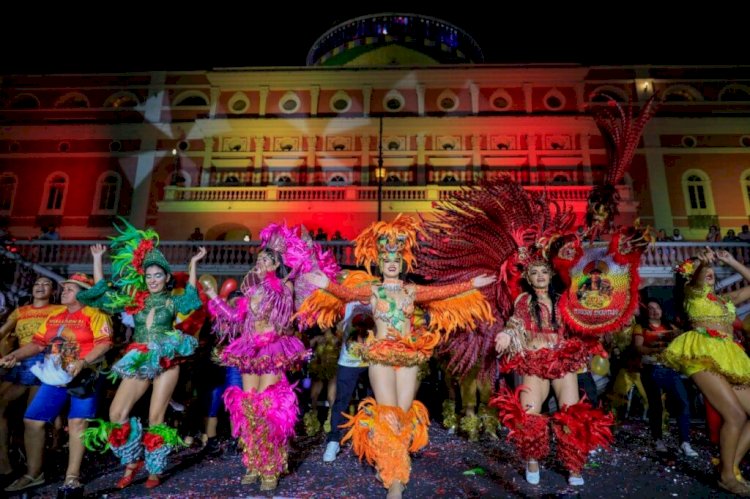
568 356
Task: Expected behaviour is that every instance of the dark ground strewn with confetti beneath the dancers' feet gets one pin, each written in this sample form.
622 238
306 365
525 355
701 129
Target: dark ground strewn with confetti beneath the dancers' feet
630 469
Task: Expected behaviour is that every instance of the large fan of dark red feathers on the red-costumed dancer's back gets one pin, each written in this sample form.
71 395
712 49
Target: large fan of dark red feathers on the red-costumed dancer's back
480 230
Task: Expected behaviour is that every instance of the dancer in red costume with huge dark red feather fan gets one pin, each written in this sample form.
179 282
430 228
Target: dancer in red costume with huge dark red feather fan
501 229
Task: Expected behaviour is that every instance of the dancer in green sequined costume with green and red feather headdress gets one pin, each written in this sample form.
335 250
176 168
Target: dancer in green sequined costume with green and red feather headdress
140 287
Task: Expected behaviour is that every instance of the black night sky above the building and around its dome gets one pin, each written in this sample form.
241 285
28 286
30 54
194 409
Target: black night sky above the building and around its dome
135 36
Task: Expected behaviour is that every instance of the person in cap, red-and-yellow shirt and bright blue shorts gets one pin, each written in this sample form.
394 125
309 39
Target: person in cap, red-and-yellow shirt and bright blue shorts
73 338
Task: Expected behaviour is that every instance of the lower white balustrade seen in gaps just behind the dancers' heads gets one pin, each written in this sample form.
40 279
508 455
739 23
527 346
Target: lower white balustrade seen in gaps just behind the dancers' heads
235 257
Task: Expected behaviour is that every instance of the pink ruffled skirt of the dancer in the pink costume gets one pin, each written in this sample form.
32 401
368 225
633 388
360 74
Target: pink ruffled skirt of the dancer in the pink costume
265 353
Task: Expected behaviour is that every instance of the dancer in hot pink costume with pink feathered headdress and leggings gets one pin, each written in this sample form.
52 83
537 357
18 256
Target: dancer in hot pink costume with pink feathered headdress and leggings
262 345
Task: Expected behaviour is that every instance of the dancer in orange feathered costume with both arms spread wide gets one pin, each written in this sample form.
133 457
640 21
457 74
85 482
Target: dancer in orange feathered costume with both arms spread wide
387 428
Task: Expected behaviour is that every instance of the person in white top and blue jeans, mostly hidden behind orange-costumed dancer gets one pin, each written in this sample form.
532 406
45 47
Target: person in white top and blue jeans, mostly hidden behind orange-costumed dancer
356 324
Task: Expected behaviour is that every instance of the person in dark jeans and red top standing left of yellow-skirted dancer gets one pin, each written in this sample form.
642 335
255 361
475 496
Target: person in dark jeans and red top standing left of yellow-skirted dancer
650 338
